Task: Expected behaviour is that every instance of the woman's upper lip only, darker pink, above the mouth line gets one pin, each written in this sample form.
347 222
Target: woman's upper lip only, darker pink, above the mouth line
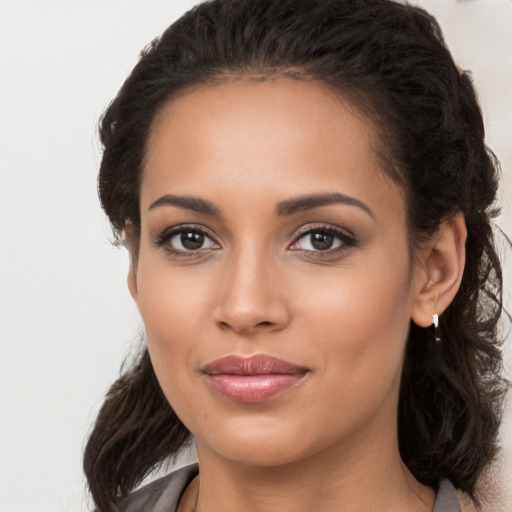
255 365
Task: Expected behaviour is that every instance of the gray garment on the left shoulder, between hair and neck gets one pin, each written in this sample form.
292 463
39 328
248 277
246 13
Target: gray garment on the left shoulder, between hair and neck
161 495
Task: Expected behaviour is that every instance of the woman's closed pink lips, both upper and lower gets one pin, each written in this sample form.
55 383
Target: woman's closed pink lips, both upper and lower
252 379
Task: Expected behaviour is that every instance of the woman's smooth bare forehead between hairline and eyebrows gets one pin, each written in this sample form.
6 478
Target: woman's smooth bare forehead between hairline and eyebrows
276 137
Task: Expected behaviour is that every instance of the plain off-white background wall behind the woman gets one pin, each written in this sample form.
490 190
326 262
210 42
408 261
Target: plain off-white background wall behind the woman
66 317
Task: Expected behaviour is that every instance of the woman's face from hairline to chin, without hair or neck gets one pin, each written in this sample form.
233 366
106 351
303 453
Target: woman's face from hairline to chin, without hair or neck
273 275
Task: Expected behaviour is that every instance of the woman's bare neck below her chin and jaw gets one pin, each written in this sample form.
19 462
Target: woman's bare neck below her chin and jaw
342 479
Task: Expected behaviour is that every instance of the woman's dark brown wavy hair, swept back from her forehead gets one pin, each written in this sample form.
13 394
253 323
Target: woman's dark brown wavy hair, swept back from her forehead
390 61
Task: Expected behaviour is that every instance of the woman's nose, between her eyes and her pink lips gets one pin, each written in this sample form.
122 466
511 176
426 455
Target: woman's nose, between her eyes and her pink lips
251 297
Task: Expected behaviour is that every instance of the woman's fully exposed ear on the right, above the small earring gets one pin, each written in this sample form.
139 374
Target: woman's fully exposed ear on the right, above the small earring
438 270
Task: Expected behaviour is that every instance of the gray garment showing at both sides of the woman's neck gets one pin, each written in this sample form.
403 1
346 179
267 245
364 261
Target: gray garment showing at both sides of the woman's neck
164 494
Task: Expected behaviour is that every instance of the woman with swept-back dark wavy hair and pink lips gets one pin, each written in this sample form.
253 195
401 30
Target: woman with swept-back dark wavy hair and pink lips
306 196
